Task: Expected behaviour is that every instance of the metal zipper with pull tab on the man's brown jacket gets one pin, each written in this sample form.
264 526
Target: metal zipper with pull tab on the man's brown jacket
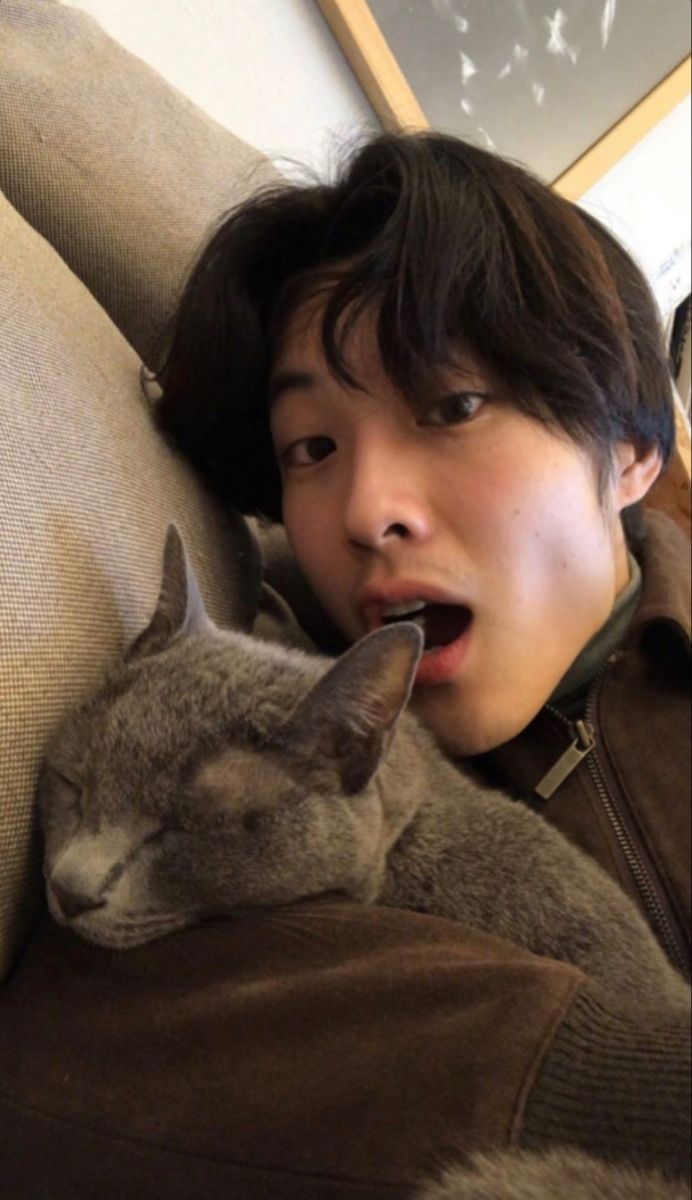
585 747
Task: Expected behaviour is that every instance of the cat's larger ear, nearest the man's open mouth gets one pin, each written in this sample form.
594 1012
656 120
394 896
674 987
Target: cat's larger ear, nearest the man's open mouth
345 725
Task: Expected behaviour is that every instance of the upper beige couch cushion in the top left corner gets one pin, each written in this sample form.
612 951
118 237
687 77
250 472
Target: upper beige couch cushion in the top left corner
119 171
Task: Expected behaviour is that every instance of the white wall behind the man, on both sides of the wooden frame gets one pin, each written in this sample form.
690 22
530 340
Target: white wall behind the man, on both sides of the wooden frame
272 71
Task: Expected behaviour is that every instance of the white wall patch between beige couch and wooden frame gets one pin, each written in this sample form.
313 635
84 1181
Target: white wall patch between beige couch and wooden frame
269 70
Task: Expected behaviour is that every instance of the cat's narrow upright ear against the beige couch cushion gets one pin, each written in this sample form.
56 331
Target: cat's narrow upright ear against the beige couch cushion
179 609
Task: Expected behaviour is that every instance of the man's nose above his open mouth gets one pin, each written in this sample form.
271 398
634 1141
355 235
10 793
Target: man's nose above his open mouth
386 503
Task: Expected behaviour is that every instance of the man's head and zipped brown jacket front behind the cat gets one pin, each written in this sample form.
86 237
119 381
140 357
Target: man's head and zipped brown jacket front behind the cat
450 387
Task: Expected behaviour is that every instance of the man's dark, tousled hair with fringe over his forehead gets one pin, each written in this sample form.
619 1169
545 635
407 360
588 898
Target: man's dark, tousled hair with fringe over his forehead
450 247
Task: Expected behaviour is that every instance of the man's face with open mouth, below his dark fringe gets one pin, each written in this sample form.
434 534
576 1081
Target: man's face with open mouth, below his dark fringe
480 513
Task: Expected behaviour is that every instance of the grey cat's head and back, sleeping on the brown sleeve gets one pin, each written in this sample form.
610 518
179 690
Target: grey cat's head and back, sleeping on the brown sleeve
215 772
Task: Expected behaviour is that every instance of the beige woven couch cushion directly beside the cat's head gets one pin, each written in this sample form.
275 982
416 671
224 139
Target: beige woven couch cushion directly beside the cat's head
88 488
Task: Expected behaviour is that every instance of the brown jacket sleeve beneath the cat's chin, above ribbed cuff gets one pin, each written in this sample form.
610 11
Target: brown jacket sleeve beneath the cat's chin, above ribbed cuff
332 1051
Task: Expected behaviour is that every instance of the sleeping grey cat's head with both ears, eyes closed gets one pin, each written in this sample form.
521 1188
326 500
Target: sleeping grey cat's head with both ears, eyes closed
214 772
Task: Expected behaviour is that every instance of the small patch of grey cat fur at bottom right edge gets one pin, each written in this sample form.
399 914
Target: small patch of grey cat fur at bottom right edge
516 1175
